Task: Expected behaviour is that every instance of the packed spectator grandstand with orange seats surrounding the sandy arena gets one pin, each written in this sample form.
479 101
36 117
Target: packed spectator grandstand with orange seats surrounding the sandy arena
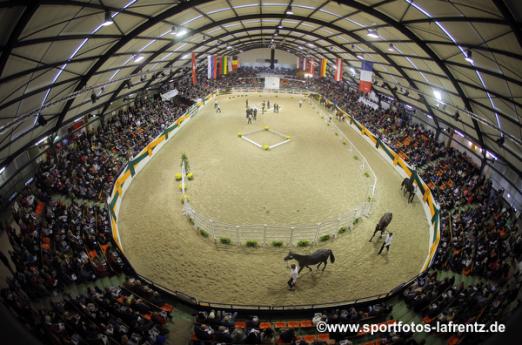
60 234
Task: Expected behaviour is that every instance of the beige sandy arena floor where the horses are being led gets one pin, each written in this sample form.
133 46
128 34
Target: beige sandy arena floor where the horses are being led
304 181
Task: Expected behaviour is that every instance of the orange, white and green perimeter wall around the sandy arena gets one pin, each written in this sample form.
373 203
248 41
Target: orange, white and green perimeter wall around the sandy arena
135 165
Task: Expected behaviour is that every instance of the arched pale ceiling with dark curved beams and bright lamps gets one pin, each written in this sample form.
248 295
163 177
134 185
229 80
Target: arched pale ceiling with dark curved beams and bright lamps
457 61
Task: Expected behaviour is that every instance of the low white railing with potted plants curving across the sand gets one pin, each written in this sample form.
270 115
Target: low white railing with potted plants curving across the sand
289 234
